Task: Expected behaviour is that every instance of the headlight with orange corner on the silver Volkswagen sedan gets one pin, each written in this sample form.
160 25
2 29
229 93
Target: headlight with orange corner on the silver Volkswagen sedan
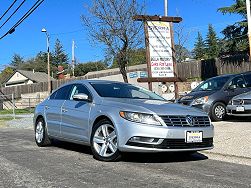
140 118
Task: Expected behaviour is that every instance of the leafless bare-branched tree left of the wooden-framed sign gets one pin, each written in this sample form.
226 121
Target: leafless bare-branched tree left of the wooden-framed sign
111 24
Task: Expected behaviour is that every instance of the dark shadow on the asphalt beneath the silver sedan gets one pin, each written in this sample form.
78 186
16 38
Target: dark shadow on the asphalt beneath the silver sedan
137 157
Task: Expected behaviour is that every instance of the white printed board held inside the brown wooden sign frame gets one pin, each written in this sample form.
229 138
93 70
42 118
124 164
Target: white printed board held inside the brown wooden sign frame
160 48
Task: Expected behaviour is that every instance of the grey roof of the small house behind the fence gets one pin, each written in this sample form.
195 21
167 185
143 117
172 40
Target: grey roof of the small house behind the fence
34 76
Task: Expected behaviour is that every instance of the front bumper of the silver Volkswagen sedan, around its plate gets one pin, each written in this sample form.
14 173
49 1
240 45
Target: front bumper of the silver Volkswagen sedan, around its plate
160 138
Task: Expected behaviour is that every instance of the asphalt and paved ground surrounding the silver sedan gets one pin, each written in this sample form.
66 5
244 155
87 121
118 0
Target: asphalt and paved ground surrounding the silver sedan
23 164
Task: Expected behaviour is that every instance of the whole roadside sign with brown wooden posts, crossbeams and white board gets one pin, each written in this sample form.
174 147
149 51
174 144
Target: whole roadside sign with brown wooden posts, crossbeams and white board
160 53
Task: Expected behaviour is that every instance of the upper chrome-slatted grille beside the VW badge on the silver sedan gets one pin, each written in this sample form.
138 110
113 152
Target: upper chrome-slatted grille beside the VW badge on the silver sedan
181 121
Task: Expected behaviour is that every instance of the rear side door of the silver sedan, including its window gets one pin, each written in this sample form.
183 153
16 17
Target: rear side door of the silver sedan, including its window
53 110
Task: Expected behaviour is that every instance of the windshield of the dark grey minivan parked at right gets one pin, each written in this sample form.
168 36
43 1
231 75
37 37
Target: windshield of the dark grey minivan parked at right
212 84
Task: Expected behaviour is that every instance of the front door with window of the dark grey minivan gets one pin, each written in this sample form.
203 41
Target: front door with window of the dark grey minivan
236 87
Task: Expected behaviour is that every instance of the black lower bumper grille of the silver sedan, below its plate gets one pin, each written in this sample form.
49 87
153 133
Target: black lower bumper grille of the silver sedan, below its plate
176 144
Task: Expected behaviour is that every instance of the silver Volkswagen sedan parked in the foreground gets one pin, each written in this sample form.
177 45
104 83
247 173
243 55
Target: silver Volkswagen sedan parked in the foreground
114 117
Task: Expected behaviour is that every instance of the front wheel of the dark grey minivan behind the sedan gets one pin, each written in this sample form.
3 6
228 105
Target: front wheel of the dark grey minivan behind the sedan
218 111
